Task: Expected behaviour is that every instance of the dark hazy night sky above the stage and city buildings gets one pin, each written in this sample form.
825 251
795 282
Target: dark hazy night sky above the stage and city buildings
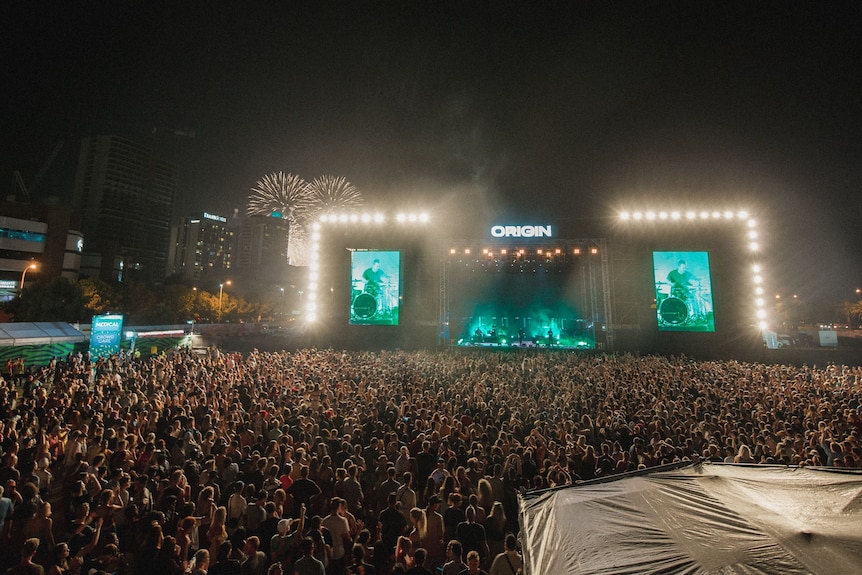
535 111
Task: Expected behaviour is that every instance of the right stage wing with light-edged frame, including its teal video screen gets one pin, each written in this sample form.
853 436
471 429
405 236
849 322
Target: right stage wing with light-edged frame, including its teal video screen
688 281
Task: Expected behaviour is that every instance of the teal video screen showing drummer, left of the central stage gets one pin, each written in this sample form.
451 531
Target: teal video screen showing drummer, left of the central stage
375 280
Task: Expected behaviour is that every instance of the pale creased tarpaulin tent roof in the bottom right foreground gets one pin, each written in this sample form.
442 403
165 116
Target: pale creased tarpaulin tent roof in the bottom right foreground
704 518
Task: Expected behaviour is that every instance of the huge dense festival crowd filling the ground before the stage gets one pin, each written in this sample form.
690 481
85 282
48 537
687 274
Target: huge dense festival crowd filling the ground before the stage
321 461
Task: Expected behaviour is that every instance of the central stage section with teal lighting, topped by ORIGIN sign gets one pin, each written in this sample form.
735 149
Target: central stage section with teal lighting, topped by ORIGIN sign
527 289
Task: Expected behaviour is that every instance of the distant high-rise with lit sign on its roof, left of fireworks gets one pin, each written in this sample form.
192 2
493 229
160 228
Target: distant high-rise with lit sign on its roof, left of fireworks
202 247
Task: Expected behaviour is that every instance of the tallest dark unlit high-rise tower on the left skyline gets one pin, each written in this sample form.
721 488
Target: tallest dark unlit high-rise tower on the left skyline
124 197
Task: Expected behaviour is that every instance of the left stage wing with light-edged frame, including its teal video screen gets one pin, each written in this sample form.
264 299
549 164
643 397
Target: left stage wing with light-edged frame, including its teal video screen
372 281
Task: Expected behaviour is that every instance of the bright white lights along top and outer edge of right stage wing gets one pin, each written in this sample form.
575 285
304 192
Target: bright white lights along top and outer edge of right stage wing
751 236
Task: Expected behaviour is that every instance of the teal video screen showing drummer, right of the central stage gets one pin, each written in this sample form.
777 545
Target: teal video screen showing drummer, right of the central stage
683 291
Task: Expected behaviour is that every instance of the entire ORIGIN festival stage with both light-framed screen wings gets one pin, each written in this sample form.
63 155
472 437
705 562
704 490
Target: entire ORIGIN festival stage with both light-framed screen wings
658 282
